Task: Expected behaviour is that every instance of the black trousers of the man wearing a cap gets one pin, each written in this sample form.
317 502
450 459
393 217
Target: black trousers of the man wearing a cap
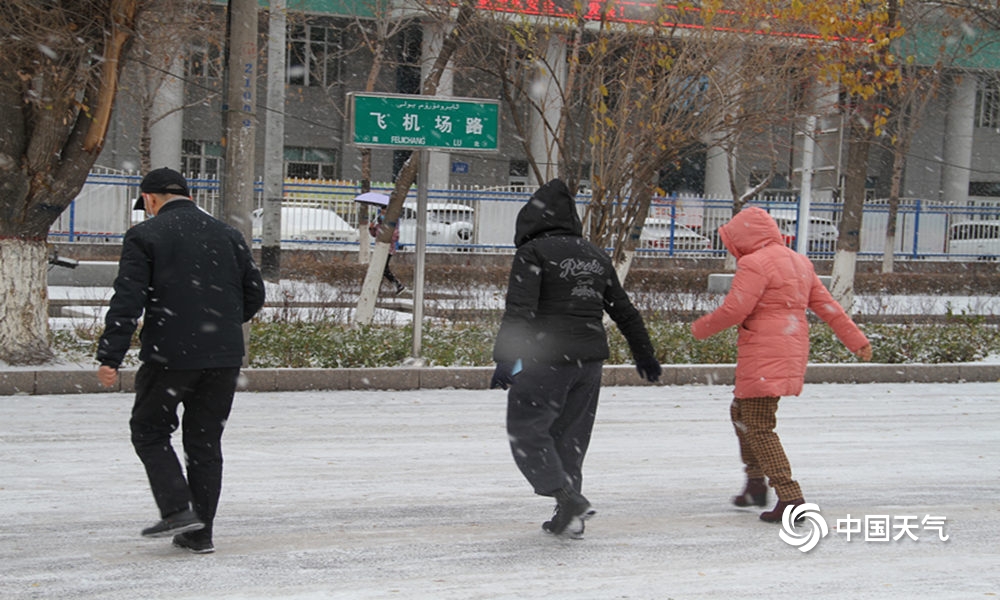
207 396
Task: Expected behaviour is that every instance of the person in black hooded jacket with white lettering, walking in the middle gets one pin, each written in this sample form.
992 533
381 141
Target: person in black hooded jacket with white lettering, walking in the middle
551 347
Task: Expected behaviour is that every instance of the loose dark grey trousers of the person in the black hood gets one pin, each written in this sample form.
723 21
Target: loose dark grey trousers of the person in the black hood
550 417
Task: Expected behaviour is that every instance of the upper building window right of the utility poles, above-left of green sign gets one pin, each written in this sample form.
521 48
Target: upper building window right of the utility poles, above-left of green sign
313 55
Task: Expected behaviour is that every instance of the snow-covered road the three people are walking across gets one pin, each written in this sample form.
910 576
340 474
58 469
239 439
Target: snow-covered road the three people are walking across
368 494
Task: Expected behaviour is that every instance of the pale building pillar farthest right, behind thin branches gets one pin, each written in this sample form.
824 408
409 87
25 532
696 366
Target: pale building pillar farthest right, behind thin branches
959 123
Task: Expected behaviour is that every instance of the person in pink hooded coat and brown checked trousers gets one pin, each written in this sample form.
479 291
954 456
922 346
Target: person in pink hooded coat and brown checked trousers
771 290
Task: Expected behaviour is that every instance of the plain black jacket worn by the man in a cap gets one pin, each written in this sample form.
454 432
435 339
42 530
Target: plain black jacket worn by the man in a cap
196 281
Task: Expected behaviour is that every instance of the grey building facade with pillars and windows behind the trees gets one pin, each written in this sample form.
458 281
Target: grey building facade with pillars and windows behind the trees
954 157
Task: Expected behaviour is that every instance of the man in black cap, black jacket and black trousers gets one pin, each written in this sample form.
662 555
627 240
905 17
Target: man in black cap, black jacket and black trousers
196 281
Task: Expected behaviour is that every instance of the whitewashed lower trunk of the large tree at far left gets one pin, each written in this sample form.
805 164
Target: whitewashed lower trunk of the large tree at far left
24 323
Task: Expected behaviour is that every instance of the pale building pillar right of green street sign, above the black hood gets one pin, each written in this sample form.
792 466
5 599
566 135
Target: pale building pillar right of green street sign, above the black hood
548 100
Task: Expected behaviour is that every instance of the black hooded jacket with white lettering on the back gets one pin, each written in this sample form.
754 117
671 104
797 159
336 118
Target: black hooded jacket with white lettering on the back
560 286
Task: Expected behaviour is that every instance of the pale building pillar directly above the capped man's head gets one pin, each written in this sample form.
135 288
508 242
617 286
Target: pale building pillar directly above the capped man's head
167 119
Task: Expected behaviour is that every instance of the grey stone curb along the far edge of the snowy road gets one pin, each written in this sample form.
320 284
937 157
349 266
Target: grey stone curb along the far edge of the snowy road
84 379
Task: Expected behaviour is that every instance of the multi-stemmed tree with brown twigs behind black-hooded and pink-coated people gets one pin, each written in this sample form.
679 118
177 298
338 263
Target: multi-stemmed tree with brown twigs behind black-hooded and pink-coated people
635 97
